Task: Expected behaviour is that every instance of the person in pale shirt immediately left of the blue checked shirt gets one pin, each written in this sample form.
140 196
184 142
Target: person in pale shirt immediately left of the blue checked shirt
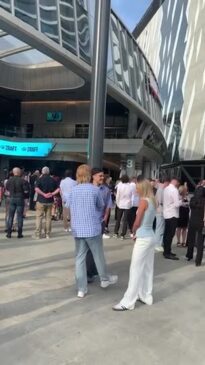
66 186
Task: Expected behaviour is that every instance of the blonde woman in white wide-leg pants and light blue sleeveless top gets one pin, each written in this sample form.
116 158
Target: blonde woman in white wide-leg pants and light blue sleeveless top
142 262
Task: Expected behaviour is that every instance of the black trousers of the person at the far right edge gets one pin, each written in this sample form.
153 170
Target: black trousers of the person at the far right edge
195 237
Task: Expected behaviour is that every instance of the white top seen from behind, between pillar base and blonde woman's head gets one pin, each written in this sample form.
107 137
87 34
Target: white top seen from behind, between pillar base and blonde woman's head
124 196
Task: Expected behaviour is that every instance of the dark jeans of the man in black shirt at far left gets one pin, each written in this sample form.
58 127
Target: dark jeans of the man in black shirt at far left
16 205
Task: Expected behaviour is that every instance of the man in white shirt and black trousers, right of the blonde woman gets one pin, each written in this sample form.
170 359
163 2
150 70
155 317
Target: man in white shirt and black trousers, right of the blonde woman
171 204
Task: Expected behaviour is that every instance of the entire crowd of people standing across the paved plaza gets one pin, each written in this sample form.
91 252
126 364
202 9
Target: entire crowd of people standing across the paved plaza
153 211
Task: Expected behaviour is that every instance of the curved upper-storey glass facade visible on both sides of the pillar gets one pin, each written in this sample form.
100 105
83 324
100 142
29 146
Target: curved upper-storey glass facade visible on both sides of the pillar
70 24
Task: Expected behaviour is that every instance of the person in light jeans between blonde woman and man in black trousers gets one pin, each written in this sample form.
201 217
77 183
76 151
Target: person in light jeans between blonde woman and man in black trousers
160 223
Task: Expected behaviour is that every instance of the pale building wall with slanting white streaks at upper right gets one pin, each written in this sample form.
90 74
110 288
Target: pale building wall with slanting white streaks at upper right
174 41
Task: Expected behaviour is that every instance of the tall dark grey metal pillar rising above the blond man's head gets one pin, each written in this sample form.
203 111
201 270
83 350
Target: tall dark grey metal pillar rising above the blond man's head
98 83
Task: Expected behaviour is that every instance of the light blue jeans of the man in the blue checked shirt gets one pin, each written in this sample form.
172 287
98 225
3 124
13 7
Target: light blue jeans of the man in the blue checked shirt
82 245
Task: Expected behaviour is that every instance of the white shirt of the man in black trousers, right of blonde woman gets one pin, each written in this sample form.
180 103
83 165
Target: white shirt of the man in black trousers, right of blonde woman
171 202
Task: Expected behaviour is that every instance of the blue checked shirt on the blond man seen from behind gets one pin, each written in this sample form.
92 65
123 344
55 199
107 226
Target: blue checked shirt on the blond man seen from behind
85 203
